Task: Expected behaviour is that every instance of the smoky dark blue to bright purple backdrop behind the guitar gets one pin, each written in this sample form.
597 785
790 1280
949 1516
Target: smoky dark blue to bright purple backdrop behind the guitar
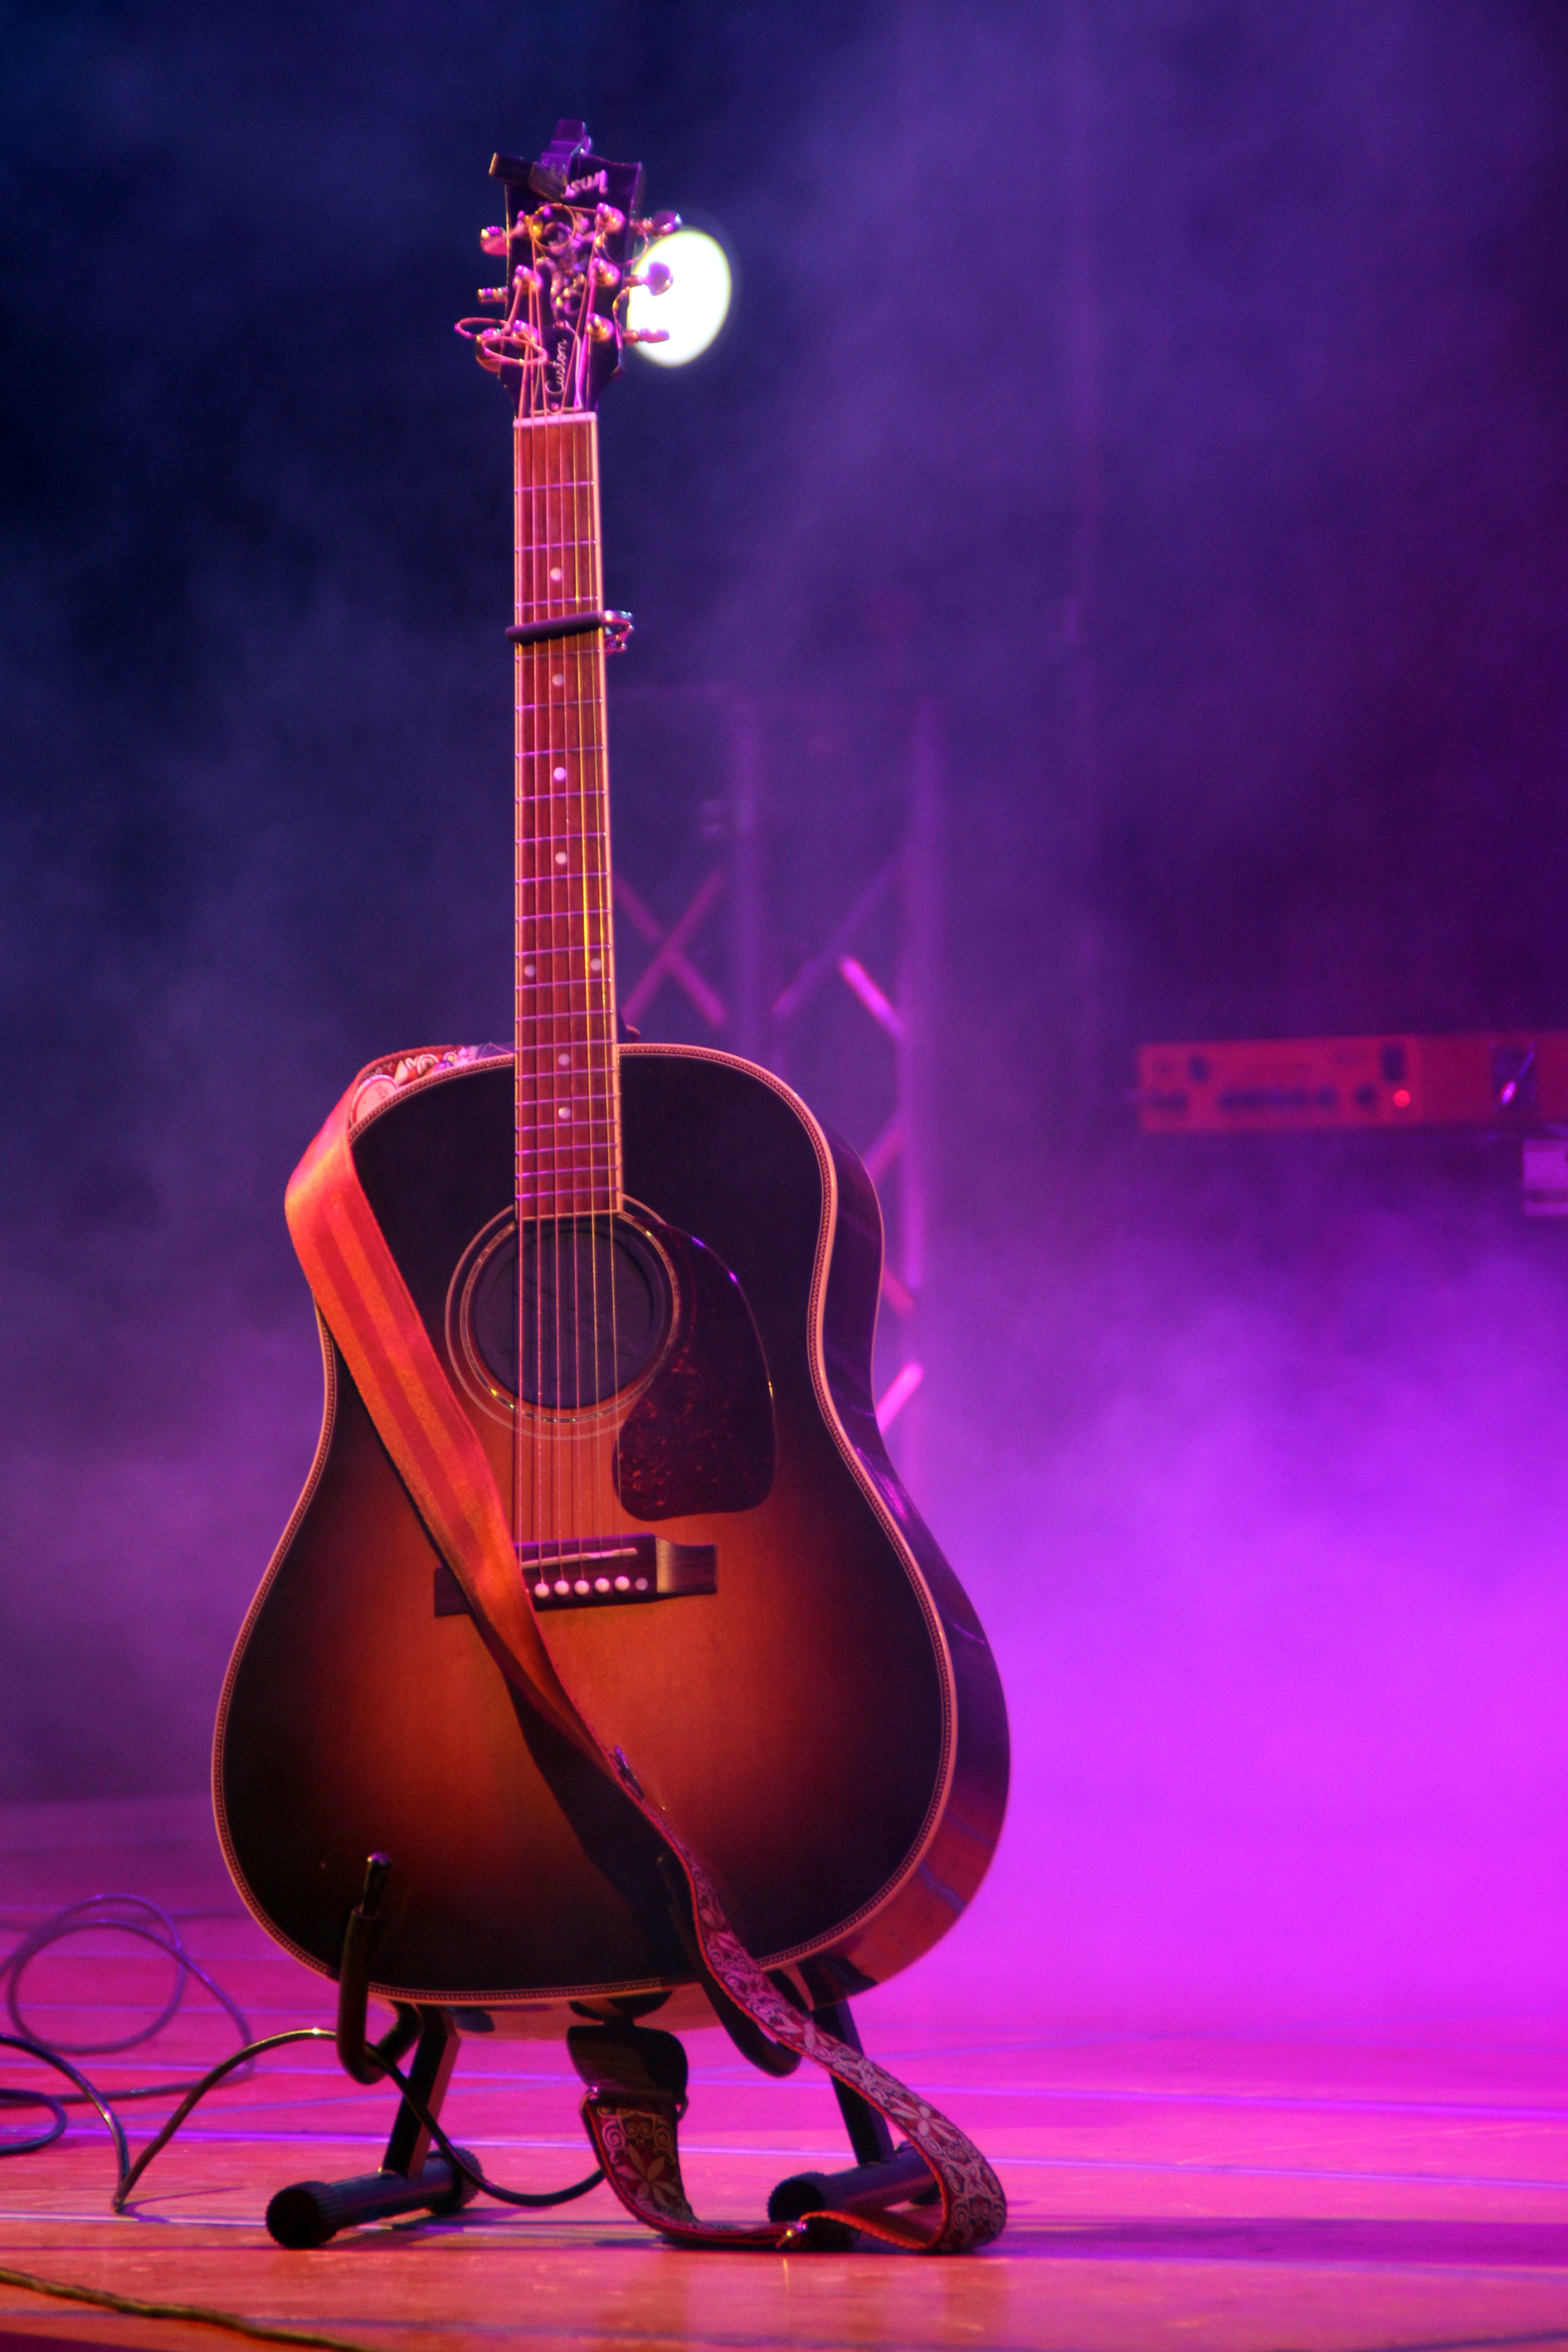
1172 392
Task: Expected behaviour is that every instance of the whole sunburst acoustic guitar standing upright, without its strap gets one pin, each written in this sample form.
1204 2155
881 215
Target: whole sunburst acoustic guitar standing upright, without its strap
652 1276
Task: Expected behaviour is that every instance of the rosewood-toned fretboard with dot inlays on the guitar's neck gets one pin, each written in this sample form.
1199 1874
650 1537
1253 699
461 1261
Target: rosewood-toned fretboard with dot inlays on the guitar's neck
568 1083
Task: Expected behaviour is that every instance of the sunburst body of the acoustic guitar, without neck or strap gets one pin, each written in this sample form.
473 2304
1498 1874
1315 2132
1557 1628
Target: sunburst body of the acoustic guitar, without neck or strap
826 1723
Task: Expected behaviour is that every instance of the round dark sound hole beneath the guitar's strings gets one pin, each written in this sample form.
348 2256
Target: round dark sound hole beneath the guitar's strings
596 1311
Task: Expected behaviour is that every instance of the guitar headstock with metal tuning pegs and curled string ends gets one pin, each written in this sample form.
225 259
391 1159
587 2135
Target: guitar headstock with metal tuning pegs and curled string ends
570 241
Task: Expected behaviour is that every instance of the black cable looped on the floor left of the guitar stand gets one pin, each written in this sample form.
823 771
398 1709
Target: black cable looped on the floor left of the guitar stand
76 1923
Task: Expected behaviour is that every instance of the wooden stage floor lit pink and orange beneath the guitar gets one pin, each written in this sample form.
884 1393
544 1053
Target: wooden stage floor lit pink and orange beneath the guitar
1167 2189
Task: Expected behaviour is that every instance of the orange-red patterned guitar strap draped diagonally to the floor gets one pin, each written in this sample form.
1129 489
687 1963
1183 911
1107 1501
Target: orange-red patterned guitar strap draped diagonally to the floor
420 1417
